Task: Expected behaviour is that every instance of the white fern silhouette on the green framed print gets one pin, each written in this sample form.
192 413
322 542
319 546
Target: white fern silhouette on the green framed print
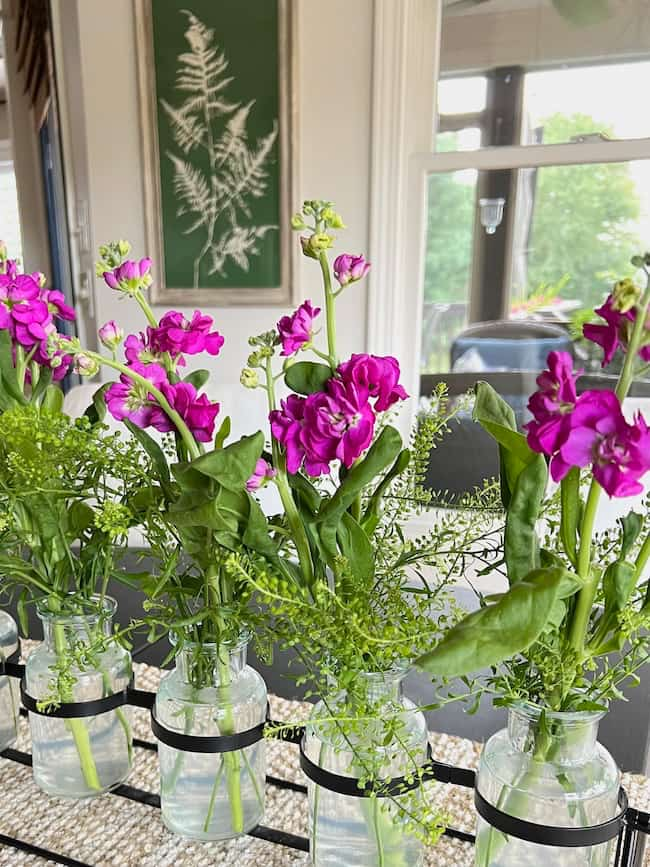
207 123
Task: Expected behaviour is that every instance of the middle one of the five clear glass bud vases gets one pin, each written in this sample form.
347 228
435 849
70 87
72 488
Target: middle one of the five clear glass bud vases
212 692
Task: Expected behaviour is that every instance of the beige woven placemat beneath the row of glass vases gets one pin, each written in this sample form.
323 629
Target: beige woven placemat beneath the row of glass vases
112 831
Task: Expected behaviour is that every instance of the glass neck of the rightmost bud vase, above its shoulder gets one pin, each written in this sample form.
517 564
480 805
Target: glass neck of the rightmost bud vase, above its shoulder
562 738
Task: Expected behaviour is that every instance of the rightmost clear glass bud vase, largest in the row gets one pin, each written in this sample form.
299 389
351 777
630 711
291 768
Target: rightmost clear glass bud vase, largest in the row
548 769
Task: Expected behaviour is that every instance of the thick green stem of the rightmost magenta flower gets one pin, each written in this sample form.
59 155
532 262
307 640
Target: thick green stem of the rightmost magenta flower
580 620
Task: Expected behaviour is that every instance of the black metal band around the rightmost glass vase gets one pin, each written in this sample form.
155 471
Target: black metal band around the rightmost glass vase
547 835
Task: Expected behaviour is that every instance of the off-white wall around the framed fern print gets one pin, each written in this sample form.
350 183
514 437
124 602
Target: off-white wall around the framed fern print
334 98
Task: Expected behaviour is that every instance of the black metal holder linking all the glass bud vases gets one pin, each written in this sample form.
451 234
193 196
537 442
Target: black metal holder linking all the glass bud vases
630 827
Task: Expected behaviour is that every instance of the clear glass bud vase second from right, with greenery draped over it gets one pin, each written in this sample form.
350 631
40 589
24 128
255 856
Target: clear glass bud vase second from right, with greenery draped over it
388 742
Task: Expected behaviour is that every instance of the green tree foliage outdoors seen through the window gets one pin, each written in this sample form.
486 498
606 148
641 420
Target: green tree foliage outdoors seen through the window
583 225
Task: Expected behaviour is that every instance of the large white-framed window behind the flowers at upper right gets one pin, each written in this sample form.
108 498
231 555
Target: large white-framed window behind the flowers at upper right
540 111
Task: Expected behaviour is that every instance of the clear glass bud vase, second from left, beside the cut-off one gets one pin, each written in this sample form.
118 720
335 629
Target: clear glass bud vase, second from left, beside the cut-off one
78 661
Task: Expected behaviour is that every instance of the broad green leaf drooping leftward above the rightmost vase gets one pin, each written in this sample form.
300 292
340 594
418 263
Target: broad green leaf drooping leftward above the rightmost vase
488 636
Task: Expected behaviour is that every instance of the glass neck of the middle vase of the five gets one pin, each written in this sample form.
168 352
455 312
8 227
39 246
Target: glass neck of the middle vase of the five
206 664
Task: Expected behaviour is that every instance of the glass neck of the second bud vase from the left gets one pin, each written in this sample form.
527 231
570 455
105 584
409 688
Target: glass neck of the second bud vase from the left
93 617
